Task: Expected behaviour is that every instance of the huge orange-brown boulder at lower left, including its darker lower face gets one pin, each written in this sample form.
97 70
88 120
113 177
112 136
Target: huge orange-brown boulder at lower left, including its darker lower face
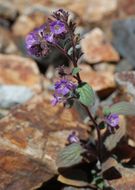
34 133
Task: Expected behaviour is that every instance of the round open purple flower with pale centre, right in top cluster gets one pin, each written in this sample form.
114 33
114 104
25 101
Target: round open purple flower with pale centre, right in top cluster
57 27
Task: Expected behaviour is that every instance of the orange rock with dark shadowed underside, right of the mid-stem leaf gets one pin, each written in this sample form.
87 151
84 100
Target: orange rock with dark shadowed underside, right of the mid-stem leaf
102 82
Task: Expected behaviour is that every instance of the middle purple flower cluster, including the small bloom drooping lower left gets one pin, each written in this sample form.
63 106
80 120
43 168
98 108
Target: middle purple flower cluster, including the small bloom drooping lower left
63 90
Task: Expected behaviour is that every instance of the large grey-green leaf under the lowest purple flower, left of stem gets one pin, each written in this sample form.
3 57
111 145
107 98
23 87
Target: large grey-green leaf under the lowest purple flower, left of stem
70 155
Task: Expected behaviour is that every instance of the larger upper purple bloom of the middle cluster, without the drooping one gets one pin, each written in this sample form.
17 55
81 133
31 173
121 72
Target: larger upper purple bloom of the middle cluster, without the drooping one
64 86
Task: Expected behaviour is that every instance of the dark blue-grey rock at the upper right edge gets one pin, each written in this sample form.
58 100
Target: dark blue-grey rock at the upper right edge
124 38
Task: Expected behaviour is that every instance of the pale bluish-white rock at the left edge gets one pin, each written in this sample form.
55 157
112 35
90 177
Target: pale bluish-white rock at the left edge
11 95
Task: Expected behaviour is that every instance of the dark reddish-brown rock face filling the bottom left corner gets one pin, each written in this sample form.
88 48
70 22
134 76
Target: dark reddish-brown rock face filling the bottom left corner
21 172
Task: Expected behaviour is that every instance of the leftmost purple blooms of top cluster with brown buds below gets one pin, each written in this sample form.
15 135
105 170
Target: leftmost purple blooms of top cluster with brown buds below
35 44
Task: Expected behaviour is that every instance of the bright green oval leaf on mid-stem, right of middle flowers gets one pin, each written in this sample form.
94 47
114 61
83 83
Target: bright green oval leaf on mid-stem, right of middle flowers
86 94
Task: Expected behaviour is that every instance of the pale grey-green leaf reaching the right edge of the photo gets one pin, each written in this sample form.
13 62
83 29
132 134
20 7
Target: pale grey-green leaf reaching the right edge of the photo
123 108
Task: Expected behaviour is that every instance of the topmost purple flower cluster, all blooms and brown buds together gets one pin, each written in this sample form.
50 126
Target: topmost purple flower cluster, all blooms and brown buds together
39 41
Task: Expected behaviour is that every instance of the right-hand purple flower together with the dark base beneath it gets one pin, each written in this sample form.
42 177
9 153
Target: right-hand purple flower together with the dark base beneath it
112 121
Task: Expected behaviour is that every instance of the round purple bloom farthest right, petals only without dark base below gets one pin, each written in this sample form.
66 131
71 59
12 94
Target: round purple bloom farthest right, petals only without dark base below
112 120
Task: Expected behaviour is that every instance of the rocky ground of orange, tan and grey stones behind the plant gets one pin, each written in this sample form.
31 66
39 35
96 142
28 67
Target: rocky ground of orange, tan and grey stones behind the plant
31 130
